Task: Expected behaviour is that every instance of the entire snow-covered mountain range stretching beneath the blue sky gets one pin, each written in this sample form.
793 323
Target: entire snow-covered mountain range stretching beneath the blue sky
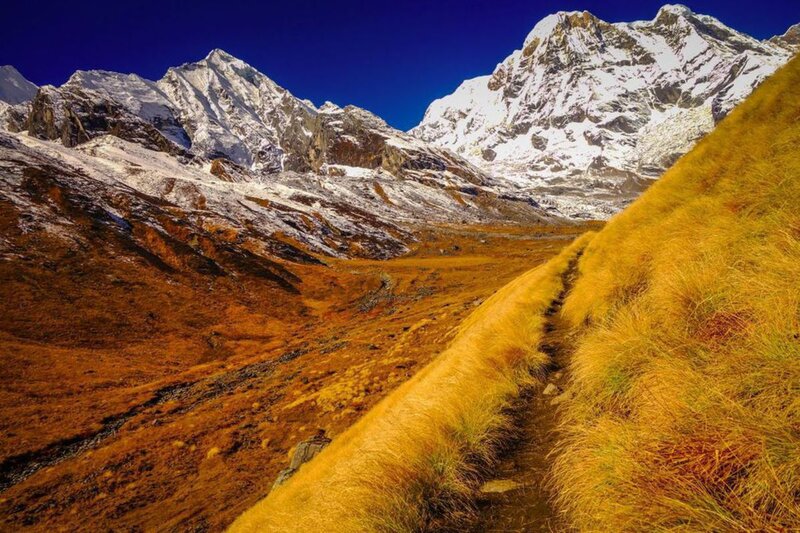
574 124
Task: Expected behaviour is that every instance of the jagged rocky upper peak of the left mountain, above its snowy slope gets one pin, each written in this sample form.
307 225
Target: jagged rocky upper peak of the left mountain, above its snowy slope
221 107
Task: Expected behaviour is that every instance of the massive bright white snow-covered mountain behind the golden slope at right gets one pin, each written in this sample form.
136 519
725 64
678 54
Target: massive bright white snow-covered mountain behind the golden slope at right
587 112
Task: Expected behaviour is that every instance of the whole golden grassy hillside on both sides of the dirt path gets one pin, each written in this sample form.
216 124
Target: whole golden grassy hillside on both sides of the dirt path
681 404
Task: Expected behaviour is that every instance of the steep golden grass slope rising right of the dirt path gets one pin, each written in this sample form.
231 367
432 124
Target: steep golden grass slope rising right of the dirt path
687 370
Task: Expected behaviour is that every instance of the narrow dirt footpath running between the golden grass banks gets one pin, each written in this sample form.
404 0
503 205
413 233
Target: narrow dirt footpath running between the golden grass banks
516 498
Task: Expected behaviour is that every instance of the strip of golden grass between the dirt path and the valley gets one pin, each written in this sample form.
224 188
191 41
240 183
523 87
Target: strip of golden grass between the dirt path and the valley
414 457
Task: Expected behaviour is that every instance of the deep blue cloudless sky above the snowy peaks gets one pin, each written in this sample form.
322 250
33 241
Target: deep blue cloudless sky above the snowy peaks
391 57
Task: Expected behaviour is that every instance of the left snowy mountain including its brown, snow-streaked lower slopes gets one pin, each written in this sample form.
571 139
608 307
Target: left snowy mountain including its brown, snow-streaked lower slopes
220 166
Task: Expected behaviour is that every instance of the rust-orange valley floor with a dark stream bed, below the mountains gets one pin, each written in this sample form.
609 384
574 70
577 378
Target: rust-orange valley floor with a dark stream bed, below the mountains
128 423
